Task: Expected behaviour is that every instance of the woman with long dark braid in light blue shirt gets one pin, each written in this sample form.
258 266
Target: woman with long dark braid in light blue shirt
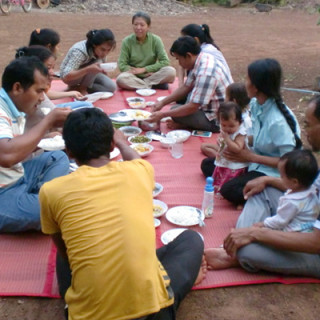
275 130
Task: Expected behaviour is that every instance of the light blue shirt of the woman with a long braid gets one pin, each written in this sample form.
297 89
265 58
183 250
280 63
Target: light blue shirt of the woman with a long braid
272 135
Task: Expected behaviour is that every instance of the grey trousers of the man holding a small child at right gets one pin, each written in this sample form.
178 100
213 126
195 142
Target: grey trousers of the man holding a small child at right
256 257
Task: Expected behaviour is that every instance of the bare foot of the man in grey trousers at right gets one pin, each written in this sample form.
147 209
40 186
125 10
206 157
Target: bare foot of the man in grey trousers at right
217 258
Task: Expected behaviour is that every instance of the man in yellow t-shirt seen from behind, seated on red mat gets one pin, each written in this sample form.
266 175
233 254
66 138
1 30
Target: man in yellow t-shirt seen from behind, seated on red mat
100 217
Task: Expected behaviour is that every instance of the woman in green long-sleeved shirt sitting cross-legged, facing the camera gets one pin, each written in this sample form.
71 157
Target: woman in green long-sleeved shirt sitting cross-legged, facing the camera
143 61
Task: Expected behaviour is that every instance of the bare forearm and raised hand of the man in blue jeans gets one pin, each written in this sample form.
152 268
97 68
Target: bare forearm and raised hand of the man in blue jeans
18 148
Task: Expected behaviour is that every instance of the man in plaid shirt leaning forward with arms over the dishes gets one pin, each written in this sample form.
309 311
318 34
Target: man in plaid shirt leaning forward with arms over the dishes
205 89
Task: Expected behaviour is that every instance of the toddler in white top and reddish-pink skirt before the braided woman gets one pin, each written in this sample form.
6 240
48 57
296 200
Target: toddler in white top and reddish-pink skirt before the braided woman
232 137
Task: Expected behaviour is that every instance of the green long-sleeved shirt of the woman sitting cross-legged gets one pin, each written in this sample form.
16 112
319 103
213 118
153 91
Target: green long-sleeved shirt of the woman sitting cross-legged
150 54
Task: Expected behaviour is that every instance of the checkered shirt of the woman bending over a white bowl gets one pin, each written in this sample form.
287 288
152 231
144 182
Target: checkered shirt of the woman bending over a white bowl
77 57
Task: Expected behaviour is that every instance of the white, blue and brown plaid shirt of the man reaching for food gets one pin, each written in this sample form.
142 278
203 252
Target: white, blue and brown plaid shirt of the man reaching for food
209 79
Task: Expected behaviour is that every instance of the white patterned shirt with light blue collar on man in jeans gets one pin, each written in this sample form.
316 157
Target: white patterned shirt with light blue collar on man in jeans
12 123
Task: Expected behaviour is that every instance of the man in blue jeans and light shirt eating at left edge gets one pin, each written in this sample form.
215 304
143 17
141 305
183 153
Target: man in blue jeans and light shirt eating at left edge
24 82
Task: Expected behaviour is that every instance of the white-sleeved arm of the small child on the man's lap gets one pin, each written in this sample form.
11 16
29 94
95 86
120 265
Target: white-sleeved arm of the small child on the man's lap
285 213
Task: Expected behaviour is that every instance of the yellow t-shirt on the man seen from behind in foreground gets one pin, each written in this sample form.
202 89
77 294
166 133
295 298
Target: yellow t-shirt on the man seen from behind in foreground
105 217
